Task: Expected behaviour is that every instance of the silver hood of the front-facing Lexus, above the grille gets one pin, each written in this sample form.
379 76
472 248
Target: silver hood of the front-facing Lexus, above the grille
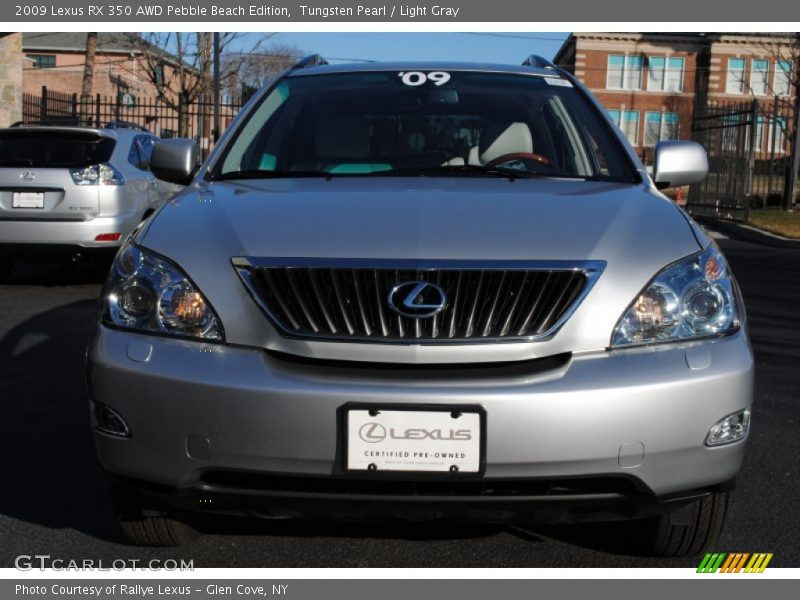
631 228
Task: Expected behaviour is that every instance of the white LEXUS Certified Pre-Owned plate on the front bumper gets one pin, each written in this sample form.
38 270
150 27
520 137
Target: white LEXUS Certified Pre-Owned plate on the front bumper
436 440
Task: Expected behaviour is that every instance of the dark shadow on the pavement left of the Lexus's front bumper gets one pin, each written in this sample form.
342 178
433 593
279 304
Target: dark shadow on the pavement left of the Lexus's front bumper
51 476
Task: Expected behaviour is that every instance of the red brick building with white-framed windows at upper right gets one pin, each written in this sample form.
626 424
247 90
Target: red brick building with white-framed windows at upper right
653 84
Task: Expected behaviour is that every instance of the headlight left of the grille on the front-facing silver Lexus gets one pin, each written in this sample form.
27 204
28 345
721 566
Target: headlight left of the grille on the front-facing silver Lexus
148 293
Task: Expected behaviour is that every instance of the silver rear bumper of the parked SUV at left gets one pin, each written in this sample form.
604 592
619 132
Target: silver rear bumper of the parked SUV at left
17 235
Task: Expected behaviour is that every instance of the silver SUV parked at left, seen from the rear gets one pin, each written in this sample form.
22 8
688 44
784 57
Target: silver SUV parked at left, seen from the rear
74 190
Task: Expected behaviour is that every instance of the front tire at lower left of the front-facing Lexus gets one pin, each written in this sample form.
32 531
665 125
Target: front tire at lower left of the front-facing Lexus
171 528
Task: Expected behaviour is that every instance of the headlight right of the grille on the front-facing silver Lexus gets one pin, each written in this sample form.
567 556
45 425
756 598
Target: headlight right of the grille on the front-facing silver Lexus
694 297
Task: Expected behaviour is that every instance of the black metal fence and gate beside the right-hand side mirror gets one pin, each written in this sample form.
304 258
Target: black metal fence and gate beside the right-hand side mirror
749 155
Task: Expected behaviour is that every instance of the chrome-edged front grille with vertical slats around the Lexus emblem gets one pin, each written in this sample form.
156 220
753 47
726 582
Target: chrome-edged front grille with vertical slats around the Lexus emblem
326 300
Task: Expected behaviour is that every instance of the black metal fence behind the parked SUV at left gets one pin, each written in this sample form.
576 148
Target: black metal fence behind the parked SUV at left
157 115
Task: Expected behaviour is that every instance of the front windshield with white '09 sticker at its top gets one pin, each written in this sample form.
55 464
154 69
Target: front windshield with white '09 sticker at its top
424 123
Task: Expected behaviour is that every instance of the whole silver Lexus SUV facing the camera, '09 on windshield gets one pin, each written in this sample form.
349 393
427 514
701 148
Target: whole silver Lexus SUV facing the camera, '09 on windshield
423 290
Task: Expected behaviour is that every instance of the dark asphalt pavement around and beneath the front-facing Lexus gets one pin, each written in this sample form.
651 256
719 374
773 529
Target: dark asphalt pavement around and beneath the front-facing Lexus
53 497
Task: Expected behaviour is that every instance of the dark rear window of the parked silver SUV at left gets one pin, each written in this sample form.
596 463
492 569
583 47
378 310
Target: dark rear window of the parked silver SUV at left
38 148
